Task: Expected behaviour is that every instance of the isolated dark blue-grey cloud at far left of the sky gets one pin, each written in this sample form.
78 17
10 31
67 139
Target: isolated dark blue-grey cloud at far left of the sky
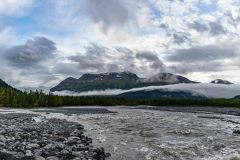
30 53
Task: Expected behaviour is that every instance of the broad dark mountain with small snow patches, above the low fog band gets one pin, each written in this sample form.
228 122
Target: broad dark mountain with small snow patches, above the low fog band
115 80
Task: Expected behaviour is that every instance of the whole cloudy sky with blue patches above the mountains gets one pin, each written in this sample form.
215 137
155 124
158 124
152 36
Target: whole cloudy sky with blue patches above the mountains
44 42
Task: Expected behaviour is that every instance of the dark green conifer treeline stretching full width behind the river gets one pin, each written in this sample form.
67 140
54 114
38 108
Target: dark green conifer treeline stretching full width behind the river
12 98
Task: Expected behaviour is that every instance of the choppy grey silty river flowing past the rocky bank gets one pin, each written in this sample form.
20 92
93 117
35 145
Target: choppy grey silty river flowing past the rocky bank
135 133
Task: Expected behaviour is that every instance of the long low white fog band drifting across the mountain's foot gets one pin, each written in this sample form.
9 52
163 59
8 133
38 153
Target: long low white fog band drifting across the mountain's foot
209 90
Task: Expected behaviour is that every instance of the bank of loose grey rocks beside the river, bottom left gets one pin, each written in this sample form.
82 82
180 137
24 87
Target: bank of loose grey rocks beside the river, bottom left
32 137
